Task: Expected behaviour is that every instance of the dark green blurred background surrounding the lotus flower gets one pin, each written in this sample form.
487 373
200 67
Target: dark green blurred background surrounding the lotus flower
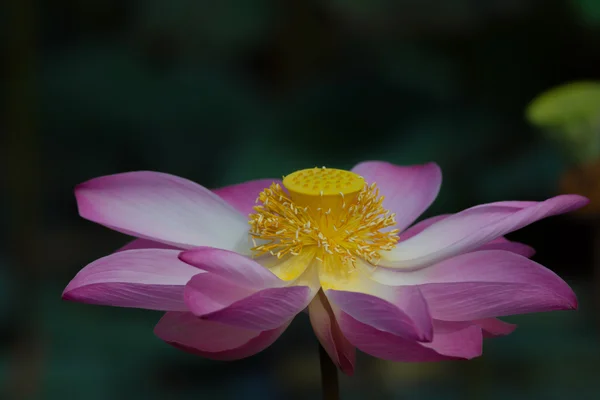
222 92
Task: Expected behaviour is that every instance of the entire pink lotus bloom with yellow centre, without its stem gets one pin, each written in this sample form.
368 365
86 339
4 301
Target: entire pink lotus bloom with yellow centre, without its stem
232 267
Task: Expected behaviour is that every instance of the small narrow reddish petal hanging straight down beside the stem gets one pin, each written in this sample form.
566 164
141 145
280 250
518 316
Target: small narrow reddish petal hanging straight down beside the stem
329 334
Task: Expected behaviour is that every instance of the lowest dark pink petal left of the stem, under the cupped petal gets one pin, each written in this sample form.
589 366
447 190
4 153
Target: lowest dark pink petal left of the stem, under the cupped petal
213 340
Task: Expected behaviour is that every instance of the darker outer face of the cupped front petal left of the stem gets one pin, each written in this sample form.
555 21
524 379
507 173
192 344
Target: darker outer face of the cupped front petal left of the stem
262 310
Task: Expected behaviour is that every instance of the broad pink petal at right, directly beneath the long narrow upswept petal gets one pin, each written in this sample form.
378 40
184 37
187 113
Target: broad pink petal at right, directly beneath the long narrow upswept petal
484 284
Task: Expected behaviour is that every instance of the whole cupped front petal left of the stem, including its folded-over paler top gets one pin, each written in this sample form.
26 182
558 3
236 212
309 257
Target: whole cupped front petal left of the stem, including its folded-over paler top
238 291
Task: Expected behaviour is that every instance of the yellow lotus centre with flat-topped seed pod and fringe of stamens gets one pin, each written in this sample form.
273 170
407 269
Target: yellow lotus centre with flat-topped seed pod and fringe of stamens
330 213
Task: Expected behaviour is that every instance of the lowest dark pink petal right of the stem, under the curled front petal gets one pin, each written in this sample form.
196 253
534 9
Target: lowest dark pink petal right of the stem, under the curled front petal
464 342
